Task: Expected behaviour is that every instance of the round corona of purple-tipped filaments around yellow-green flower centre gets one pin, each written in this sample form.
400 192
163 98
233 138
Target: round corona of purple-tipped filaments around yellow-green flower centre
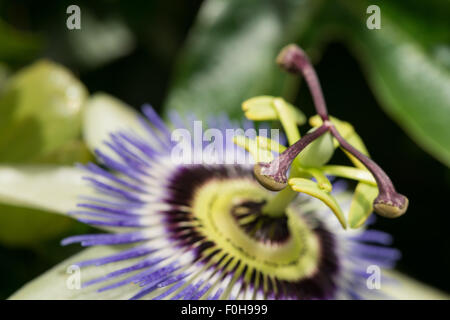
199 231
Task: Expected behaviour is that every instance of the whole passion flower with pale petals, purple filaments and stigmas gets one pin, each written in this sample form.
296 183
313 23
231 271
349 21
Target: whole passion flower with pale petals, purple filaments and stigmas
210 229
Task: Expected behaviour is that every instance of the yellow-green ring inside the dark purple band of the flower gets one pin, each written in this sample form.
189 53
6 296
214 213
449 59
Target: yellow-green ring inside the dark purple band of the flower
292 259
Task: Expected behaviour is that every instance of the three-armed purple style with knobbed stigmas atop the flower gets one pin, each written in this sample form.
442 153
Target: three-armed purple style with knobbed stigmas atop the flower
272 175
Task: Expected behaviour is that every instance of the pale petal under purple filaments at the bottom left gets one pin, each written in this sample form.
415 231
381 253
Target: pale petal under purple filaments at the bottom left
60 282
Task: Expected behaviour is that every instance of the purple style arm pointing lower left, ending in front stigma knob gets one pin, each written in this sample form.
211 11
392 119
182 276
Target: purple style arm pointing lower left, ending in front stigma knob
272 175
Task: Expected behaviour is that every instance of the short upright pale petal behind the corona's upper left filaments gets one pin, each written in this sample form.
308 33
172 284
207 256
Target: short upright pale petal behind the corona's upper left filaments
104 114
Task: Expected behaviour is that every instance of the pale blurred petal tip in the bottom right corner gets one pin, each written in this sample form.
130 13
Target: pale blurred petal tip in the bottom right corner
410 289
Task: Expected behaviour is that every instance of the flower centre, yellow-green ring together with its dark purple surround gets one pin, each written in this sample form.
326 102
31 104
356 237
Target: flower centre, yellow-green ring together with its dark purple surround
226 220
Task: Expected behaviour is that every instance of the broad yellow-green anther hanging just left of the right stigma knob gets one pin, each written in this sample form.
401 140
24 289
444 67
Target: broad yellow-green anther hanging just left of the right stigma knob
362 204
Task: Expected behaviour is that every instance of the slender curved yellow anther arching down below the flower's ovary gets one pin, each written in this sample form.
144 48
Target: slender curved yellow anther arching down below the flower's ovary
309 187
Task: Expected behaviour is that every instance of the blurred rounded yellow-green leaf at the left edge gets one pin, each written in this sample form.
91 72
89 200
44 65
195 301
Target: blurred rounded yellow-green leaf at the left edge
40 110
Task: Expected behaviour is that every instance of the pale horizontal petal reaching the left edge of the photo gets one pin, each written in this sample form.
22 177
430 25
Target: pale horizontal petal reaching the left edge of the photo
48 187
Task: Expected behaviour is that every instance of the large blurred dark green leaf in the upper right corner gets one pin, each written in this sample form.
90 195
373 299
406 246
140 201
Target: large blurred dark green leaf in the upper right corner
413 87
